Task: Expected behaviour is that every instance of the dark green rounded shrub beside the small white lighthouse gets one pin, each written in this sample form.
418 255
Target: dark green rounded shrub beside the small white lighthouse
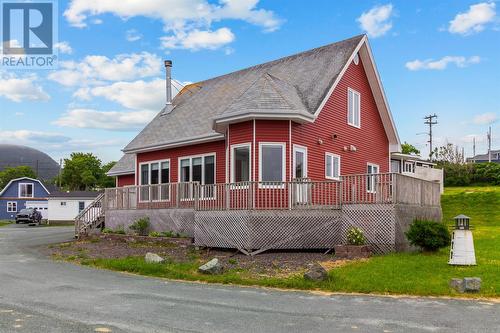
428 235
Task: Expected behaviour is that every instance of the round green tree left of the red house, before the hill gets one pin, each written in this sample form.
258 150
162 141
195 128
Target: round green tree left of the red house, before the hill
81 172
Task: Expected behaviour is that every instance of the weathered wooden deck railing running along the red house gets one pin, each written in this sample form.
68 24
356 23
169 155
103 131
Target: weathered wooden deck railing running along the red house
383 188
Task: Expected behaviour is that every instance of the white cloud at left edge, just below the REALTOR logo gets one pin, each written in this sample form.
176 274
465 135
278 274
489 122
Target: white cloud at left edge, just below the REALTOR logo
19 89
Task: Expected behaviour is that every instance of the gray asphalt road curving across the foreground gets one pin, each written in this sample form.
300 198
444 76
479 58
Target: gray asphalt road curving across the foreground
40 295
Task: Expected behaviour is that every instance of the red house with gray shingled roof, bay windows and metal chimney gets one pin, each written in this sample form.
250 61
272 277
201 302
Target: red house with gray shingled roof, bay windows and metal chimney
238 141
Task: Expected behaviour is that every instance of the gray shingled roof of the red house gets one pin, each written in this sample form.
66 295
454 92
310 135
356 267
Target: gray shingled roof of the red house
294 84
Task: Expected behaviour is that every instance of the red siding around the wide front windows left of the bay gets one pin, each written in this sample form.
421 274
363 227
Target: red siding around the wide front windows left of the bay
217 147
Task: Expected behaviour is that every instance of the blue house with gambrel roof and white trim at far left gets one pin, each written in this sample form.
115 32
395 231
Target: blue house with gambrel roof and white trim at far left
22 193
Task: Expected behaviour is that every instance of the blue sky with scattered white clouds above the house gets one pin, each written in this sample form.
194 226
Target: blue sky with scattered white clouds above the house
433 57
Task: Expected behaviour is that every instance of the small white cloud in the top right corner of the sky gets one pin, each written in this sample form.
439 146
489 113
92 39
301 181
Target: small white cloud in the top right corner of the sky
474 20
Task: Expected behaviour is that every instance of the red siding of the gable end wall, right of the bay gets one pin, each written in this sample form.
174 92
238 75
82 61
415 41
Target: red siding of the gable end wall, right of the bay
370 140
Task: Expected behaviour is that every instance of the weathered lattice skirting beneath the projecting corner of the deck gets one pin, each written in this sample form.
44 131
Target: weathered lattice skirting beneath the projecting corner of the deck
255 231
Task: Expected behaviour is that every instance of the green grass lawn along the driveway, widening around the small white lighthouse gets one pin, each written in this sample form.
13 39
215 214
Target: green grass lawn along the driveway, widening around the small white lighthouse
398 273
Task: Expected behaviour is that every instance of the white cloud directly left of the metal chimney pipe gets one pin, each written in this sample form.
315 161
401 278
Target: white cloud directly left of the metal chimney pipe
137 95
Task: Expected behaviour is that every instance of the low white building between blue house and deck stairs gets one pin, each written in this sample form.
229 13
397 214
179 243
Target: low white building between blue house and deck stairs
65 206
